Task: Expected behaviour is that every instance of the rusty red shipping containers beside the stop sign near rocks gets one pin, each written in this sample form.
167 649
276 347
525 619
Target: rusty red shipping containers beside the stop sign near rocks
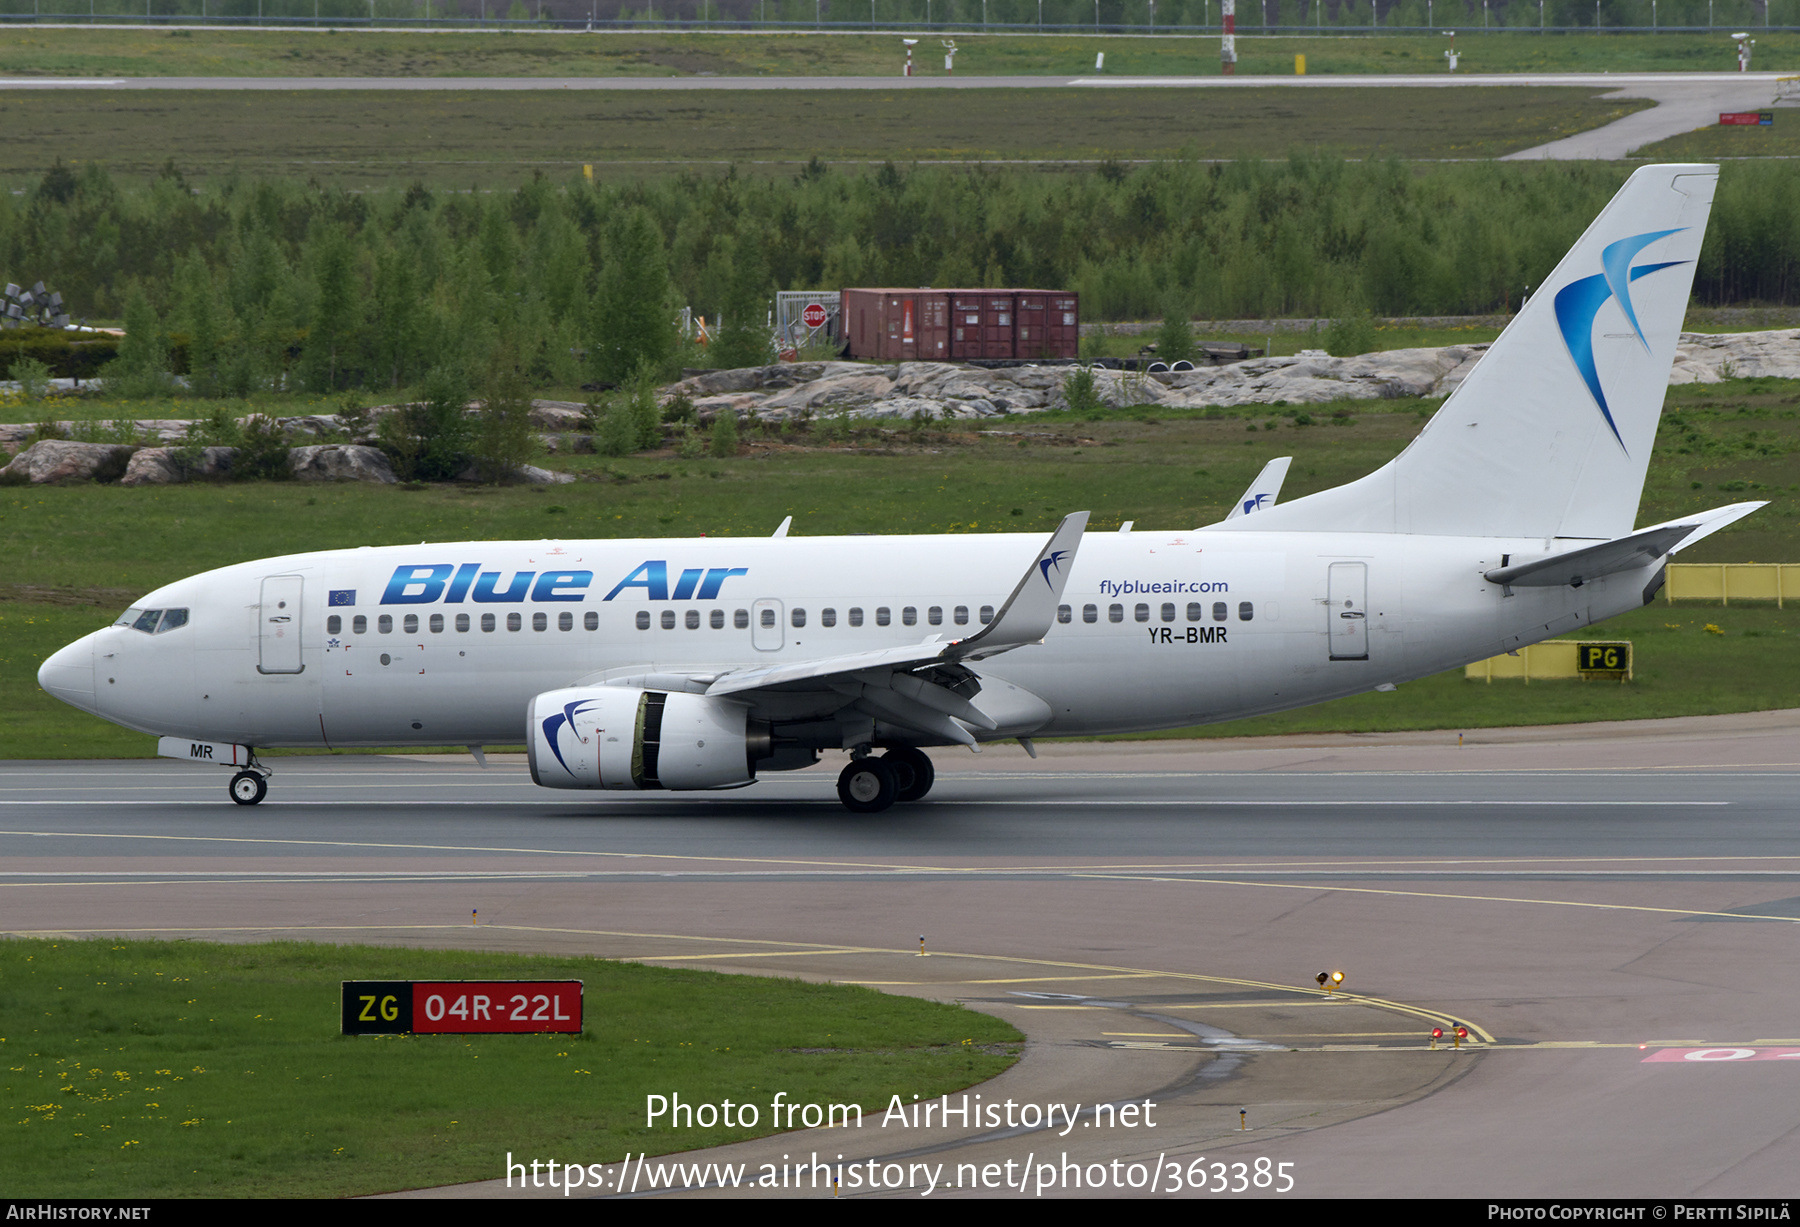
960 325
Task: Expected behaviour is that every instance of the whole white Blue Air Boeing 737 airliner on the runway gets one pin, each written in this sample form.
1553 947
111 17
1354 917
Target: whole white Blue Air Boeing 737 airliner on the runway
687 665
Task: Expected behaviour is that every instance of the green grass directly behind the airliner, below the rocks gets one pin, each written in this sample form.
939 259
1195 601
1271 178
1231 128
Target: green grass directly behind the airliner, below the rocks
78 555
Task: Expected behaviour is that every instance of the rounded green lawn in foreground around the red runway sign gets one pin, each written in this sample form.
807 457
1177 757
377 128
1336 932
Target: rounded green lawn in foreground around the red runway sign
193 1070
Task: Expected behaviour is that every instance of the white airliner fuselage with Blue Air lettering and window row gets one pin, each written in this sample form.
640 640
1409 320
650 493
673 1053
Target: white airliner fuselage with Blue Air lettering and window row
447 645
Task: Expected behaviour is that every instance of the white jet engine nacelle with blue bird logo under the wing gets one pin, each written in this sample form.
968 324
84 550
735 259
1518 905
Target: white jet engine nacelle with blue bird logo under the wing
629 739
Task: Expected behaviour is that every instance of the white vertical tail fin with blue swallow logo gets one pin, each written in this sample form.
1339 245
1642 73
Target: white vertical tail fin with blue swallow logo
1552 431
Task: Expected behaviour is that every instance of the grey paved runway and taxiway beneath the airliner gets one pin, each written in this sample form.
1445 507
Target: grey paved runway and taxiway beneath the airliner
1608 909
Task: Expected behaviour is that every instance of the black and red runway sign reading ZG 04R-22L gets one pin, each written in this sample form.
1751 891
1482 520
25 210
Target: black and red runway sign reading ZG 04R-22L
462 1007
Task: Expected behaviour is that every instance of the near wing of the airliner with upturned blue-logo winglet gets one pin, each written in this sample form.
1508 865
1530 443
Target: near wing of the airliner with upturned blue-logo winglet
926 686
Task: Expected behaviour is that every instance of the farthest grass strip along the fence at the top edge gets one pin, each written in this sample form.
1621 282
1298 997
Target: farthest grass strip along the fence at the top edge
247 53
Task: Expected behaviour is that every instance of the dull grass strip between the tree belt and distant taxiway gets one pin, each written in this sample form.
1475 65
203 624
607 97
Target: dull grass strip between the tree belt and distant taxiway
462 139
